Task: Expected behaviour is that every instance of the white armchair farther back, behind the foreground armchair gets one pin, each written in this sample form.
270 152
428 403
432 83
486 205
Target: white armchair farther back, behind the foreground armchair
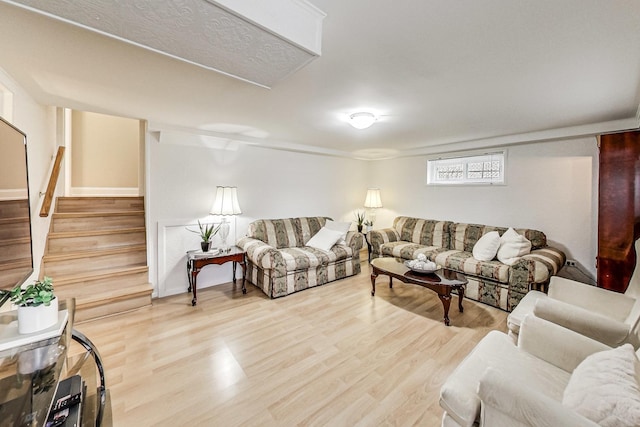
606 316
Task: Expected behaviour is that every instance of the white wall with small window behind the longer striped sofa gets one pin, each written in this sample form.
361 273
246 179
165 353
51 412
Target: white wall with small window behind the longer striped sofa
551 186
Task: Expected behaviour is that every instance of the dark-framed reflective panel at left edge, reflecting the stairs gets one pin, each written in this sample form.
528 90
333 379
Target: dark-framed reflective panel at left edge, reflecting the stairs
16 254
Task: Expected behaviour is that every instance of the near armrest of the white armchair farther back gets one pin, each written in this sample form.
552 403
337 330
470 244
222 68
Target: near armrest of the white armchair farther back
584 322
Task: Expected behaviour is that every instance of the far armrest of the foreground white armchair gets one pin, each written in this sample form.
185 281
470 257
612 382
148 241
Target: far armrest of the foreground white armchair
555 344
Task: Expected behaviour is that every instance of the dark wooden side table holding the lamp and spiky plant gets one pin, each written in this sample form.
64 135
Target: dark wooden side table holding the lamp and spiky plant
196 260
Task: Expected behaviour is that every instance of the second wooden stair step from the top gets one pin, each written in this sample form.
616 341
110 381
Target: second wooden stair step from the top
63 222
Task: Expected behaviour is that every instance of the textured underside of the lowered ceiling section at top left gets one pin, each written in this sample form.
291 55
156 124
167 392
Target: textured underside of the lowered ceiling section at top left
197 31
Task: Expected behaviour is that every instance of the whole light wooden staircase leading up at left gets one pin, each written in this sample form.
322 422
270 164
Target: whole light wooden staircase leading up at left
96 253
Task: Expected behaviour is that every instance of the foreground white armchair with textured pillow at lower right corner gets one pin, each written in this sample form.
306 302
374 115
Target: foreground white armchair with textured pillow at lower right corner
531 384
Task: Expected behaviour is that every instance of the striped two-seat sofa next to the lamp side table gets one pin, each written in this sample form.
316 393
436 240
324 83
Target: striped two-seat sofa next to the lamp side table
279 263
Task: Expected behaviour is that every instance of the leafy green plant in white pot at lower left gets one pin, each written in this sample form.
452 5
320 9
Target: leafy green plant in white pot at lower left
37 306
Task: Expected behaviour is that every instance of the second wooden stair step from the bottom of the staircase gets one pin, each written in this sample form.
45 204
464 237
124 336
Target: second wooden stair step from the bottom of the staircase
111 277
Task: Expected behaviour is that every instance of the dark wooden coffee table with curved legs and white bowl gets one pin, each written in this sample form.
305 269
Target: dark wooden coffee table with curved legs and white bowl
442 281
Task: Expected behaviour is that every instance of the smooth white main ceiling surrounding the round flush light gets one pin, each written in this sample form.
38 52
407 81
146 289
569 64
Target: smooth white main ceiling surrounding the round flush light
442 75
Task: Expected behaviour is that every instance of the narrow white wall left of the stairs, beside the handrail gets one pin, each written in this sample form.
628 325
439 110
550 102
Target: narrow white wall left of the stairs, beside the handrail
39 124
